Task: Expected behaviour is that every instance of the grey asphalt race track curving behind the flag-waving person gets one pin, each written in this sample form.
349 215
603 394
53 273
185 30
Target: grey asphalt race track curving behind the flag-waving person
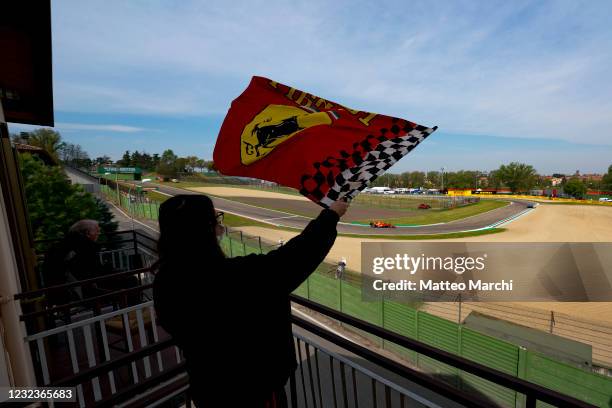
490 219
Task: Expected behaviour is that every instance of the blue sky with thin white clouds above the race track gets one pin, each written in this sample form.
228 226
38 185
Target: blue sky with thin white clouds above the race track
504 81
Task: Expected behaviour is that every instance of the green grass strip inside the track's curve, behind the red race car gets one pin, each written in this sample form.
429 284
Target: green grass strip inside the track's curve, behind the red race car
433 216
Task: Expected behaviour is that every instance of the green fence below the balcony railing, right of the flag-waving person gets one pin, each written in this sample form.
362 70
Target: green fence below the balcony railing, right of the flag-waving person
446 335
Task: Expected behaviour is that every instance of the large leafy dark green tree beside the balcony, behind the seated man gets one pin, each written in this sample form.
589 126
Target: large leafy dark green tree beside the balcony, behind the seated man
54 204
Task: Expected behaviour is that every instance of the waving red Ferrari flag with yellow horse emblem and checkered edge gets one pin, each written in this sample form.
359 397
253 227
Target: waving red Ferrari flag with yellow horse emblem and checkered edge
325 150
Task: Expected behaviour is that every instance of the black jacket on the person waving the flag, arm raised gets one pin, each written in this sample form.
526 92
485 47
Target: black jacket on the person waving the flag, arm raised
231 316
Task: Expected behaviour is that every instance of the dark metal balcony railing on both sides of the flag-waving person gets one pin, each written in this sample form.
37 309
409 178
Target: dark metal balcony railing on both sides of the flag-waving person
105 374
